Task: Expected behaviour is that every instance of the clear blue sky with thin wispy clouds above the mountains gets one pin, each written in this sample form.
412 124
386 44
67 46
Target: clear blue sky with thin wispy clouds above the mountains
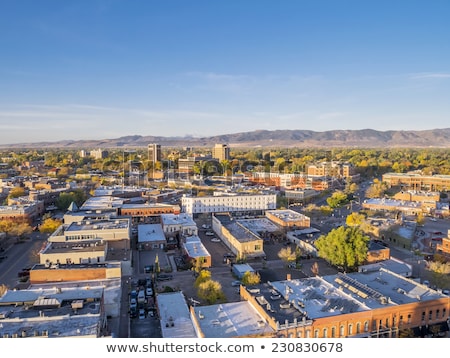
95 69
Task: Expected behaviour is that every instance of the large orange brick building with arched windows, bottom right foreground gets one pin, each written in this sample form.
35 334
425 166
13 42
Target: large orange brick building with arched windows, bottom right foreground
367 304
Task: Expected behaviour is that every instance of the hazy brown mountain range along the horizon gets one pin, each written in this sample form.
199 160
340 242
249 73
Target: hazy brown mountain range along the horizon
364 138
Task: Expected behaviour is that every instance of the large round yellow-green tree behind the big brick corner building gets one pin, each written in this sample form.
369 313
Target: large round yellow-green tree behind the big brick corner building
344 246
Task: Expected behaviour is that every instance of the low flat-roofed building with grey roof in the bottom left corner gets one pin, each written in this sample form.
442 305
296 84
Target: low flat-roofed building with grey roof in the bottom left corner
52 312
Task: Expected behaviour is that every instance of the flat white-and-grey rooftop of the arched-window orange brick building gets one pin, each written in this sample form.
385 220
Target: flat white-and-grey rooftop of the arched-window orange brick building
297 301
